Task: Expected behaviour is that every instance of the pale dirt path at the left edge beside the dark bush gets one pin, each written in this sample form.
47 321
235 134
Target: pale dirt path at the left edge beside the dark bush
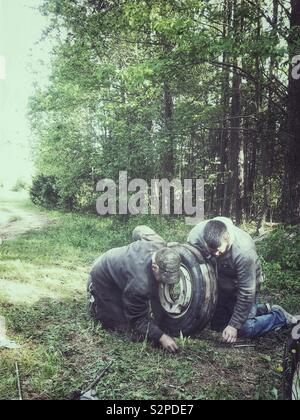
16 216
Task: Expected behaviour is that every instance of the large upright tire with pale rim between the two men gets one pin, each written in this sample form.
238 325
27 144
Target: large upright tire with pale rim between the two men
187 307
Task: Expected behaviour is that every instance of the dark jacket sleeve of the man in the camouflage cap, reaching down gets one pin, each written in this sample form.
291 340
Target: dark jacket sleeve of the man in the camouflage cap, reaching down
137 312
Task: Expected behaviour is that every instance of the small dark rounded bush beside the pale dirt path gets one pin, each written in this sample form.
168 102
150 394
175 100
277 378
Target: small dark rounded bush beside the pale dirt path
44 192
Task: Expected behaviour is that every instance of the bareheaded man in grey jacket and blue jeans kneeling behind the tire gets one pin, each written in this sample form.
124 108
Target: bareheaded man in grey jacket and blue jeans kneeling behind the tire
240 276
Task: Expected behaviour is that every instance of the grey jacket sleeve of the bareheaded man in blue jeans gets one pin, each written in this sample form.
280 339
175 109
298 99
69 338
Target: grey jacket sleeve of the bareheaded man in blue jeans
246 272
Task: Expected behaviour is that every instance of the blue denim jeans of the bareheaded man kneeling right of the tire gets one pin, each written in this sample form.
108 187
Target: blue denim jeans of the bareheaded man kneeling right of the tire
254 327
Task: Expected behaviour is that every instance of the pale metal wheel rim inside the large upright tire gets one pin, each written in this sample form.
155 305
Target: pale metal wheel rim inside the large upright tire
176 299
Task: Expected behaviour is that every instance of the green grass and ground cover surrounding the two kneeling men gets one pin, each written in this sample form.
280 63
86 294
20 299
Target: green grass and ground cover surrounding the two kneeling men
42 295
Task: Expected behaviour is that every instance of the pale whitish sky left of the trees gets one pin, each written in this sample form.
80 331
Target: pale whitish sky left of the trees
21 57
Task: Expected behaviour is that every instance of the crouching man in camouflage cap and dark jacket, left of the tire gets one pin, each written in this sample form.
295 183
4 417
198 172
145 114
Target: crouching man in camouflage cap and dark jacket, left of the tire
123 281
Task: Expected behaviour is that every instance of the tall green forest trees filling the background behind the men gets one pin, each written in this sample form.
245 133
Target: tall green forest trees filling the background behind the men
188 89
